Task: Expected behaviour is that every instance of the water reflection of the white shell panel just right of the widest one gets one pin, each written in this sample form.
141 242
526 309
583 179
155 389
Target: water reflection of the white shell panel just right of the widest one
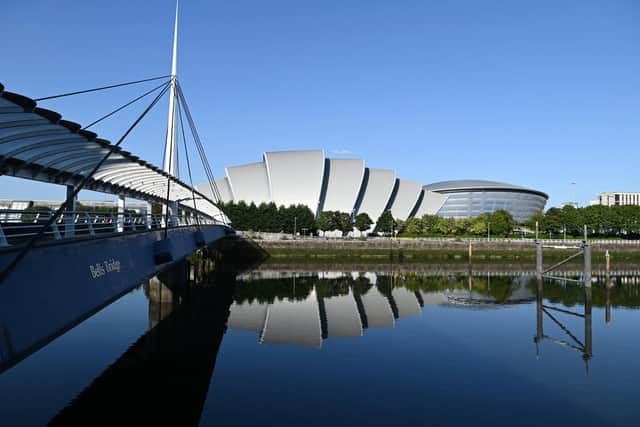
343 319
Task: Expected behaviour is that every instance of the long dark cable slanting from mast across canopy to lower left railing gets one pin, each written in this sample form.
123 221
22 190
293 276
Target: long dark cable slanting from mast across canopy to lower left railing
12 265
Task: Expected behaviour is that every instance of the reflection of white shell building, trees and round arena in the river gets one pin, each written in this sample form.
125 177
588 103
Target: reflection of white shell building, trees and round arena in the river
303 309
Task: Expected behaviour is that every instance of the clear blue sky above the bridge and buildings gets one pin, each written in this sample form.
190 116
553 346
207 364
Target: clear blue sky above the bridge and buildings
537 93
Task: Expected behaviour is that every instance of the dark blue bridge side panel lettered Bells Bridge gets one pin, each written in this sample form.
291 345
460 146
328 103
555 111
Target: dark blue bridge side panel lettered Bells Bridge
58 285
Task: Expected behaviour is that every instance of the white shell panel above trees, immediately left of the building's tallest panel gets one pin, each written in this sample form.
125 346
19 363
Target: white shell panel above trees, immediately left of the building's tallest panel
249 183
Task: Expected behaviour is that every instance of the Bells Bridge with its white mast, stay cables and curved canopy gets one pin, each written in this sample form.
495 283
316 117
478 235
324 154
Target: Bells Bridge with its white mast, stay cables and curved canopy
68 263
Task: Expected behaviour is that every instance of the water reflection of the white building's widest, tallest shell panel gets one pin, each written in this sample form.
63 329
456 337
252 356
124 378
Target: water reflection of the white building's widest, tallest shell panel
294 322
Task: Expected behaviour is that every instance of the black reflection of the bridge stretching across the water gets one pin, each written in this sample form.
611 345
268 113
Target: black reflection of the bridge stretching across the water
164 377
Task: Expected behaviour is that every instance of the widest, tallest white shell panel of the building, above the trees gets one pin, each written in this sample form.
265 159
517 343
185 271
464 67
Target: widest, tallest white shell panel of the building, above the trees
295 177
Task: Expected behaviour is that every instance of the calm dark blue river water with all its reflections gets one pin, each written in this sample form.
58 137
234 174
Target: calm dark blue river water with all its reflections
343 348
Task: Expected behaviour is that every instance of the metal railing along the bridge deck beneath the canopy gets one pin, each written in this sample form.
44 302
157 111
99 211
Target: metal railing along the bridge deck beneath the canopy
18 226
